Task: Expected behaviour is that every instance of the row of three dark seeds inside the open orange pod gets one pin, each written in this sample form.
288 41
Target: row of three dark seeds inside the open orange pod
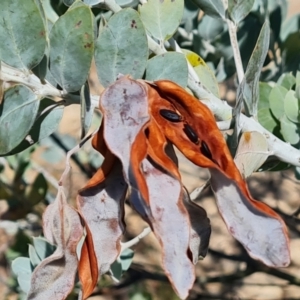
172 116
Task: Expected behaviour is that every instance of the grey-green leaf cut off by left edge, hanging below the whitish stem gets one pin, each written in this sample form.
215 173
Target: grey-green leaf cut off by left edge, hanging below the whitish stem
17 114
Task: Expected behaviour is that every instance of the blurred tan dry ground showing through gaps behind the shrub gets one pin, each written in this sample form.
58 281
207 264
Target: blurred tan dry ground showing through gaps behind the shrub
279 190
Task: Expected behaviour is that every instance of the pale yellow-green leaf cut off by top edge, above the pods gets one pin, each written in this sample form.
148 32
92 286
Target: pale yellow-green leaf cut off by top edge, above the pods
162 18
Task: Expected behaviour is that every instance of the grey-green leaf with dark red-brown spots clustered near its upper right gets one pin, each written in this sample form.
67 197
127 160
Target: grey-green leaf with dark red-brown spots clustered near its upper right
121 47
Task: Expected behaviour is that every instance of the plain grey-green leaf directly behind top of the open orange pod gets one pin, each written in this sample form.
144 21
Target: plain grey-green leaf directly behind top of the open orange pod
171 66
